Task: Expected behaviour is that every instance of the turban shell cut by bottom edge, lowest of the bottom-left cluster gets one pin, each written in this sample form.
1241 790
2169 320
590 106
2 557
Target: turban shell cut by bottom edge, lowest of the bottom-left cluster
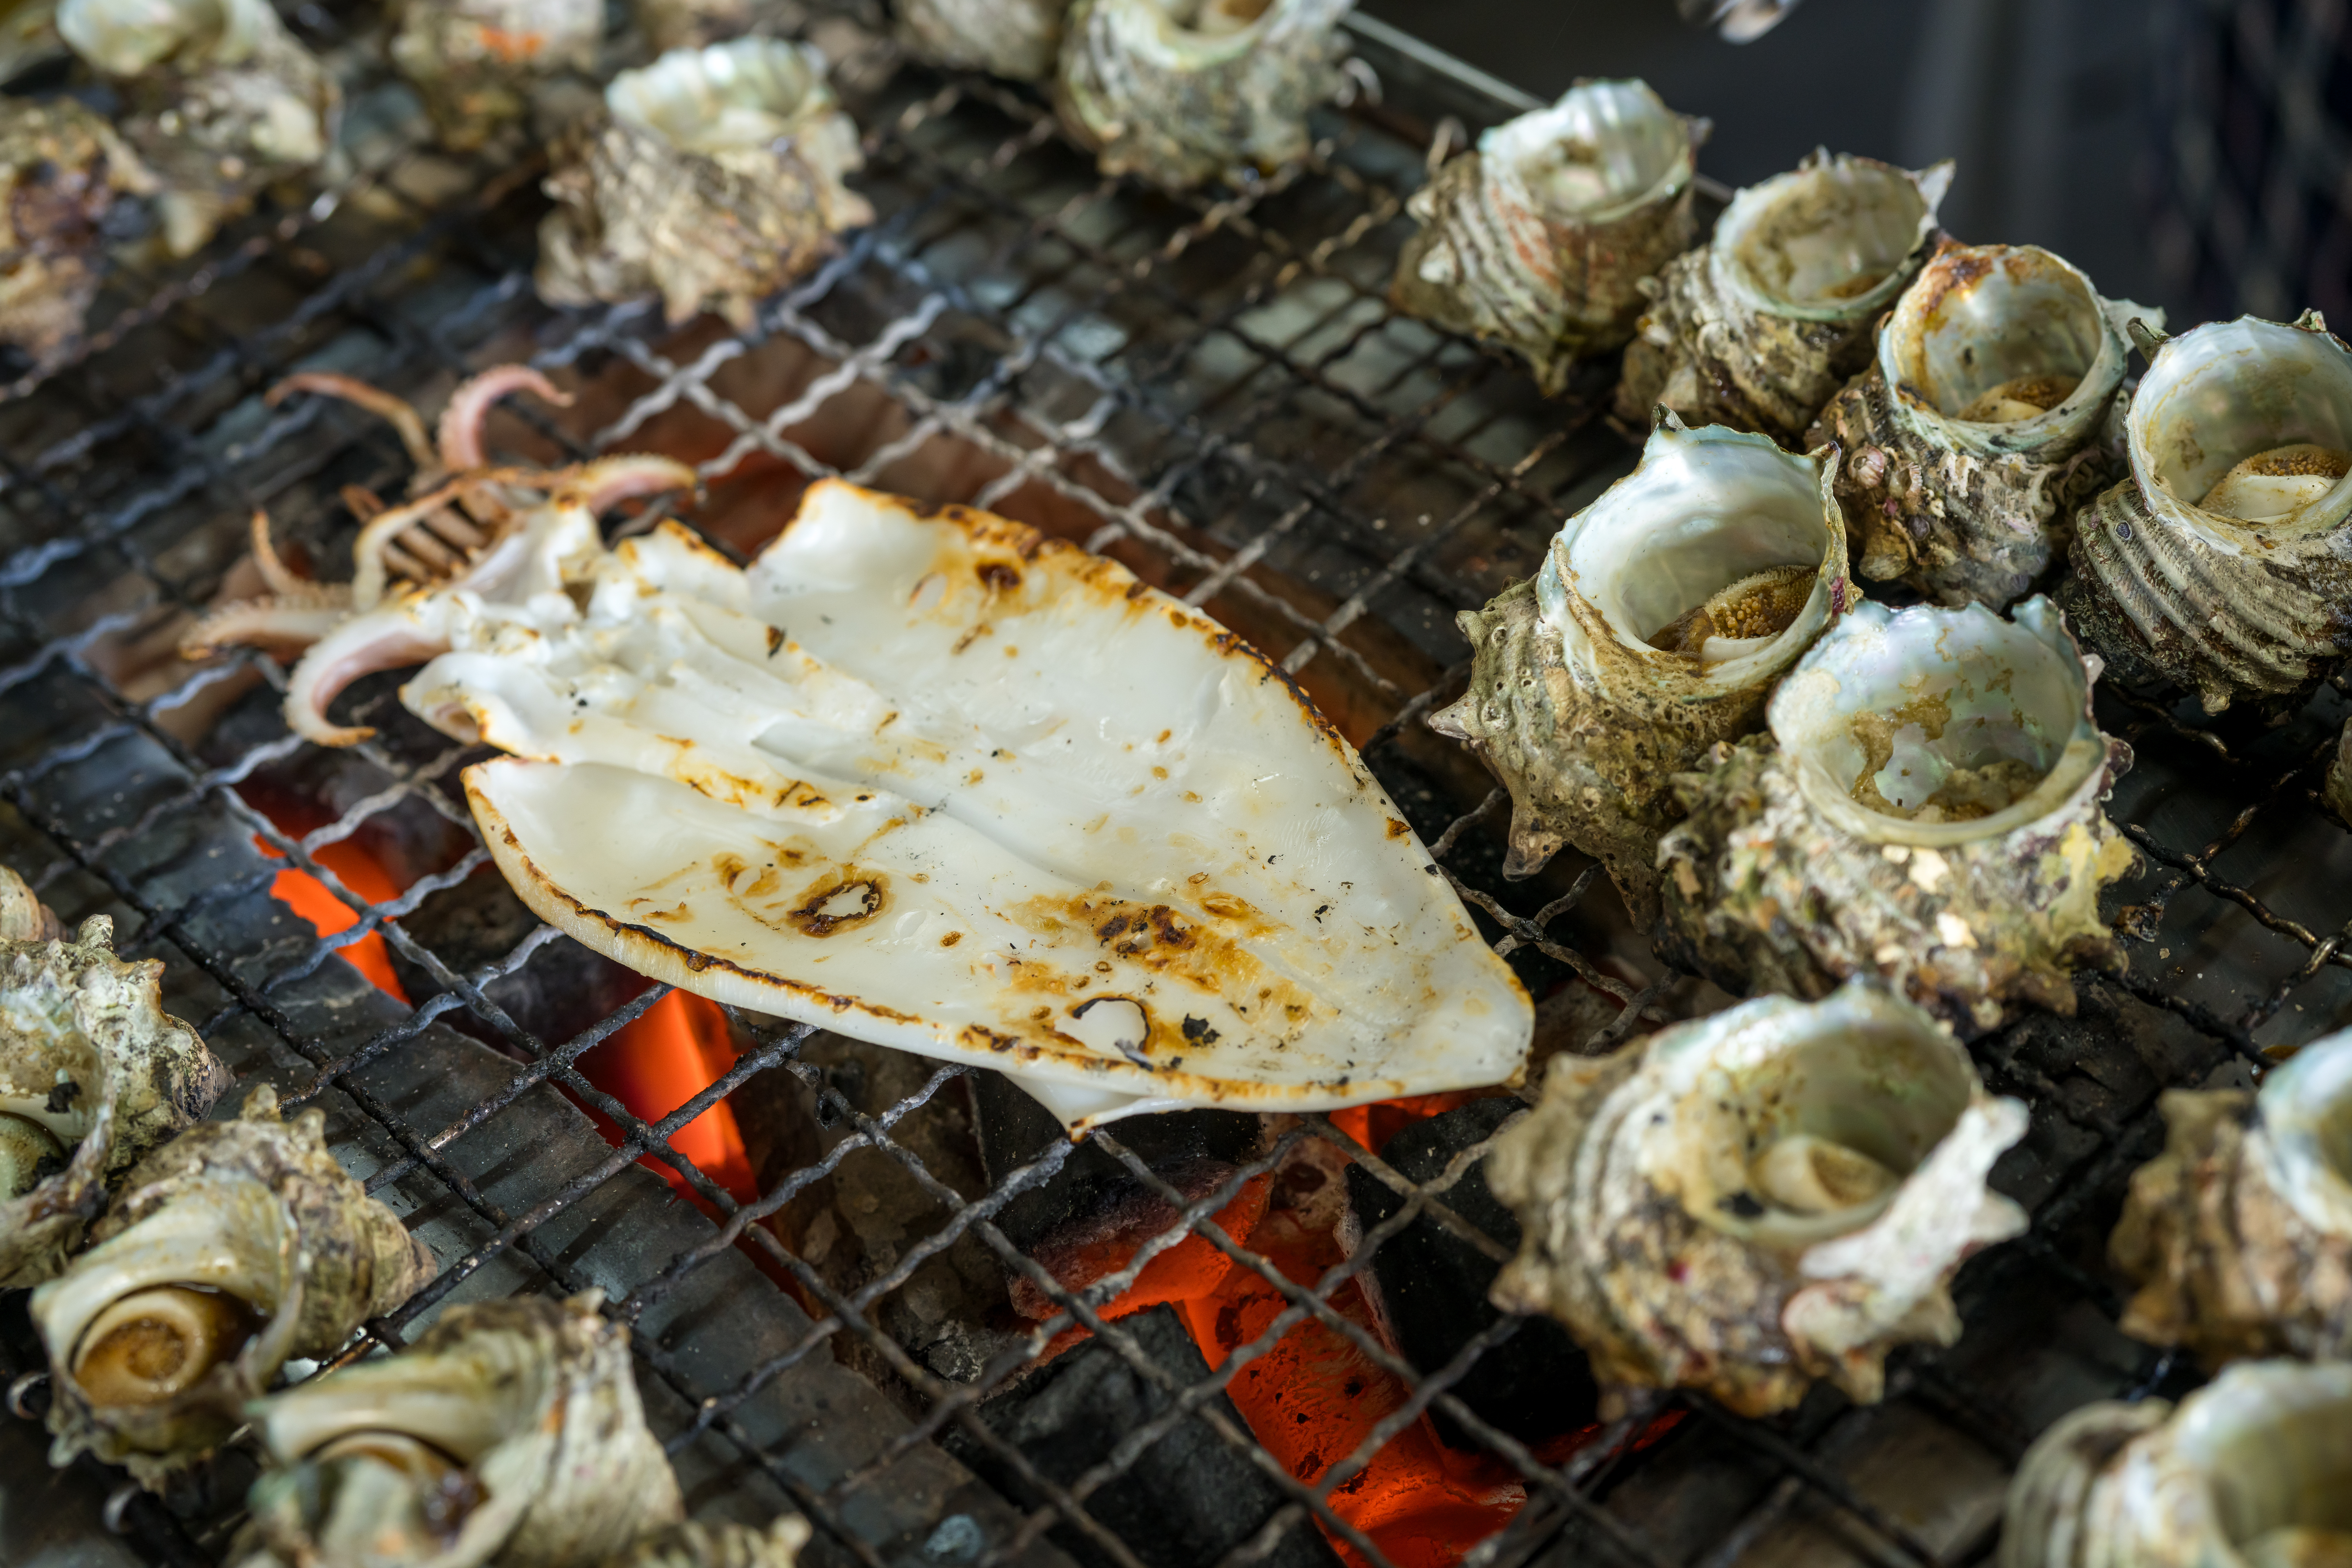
512 1433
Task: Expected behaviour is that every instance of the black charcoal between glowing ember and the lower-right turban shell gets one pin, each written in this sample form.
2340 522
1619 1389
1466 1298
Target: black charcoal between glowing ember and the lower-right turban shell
1431 1289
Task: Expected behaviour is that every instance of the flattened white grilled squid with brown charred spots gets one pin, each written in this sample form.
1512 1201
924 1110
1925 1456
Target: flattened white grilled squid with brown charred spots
944 784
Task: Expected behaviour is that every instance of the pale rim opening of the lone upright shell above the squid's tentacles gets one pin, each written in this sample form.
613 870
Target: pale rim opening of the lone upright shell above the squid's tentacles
735 95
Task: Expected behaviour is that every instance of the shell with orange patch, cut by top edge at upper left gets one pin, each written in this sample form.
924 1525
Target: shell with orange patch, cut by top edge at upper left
474 62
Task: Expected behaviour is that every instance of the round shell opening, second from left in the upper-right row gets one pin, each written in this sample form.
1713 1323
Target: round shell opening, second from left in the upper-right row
1829 234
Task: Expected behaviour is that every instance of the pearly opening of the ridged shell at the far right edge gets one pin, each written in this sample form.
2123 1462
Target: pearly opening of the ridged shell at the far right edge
2247 422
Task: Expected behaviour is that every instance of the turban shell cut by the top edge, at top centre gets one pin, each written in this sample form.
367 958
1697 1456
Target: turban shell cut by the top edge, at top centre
1180 93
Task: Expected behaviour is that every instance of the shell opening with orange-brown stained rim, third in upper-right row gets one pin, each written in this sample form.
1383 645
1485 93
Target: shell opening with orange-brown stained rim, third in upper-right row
1996 335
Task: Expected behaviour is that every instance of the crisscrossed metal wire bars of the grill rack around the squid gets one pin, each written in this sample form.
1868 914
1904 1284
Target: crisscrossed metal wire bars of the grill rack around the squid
1321 516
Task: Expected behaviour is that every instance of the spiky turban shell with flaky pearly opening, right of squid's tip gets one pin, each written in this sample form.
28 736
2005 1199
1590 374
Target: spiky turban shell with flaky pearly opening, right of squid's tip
1925 810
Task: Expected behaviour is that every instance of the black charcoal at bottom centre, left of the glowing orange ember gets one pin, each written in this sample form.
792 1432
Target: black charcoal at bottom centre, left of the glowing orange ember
1187 1501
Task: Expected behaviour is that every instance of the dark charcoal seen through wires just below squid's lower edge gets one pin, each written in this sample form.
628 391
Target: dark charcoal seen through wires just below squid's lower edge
1093 1217
